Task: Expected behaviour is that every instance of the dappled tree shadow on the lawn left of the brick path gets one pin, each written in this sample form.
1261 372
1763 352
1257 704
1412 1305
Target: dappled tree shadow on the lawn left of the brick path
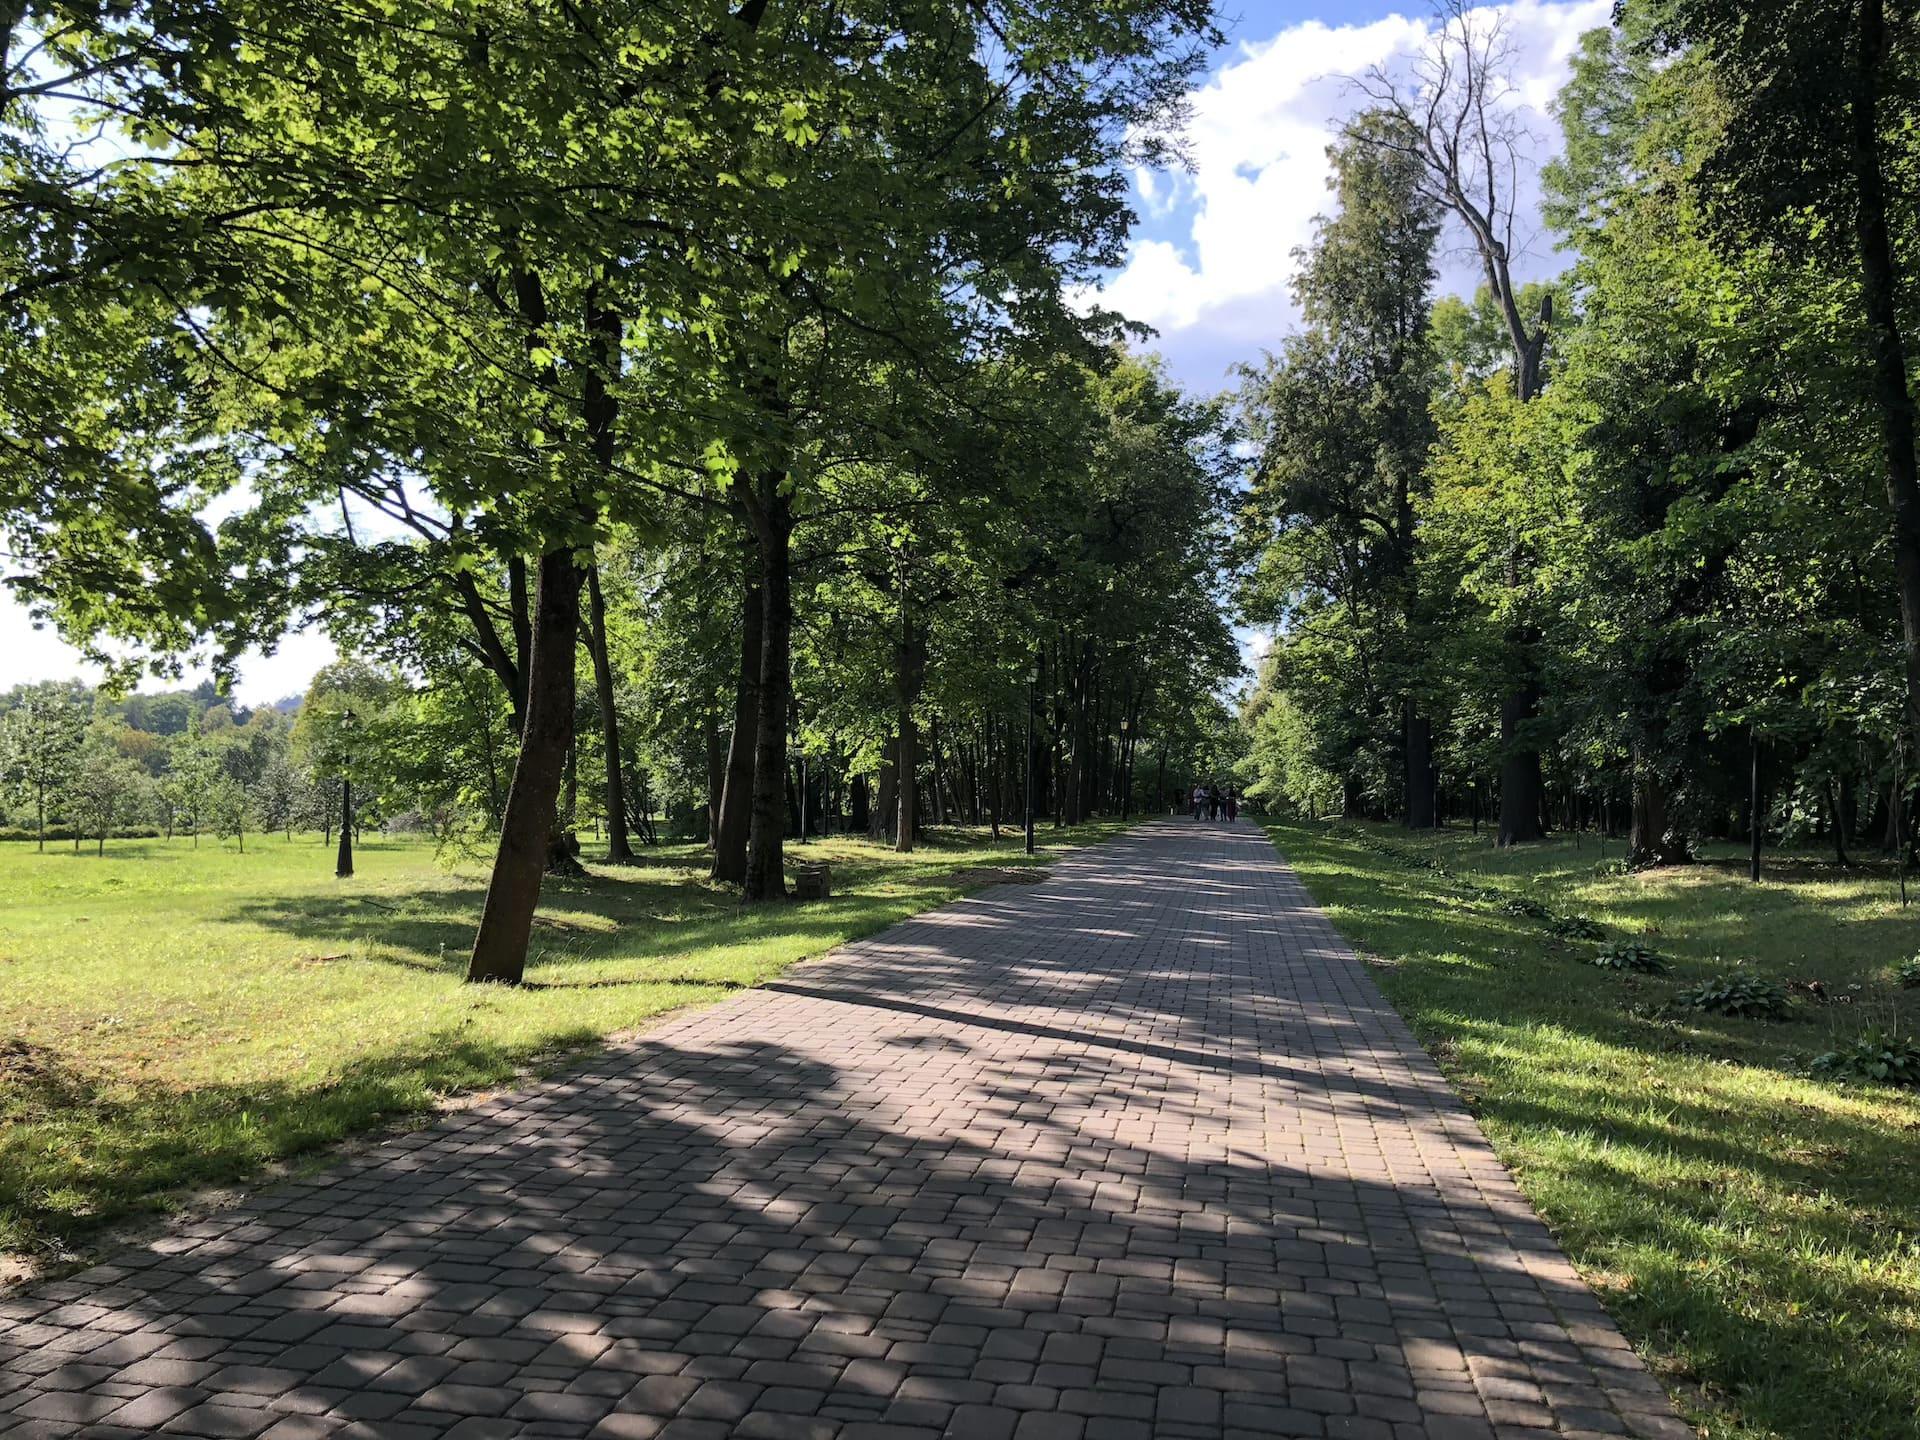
87 1149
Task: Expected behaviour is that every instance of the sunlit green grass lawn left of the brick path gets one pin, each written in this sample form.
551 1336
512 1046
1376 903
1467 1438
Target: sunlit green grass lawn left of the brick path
178 1017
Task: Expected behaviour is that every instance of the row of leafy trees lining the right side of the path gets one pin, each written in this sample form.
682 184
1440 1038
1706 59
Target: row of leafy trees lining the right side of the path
1639 548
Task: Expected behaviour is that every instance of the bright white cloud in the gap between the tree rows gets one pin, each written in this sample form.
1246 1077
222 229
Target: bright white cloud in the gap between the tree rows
1259 143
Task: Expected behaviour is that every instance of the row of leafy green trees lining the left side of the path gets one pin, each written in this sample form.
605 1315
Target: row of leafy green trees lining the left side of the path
669 408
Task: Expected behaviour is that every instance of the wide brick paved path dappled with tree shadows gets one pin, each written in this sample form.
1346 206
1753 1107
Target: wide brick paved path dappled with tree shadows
1132 1153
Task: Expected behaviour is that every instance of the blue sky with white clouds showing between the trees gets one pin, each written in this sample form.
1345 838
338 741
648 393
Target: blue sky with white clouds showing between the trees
1212 256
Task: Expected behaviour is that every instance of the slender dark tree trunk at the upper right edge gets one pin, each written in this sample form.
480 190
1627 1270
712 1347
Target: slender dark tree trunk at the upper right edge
1886 347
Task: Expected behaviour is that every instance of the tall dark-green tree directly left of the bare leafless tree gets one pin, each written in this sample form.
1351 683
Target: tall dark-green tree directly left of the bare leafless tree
1343 429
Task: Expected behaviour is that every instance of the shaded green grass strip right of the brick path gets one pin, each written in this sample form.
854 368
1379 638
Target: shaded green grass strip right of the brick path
1756 1232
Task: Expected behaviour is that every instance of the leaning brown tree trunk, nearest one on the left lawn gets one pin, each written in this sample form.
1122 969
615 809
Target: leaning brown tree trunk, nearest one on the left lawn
514 892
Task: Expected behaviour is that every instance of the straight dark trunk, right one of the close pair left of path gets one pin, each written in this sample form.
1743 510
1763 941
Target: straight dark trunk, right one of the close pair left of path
773 523
